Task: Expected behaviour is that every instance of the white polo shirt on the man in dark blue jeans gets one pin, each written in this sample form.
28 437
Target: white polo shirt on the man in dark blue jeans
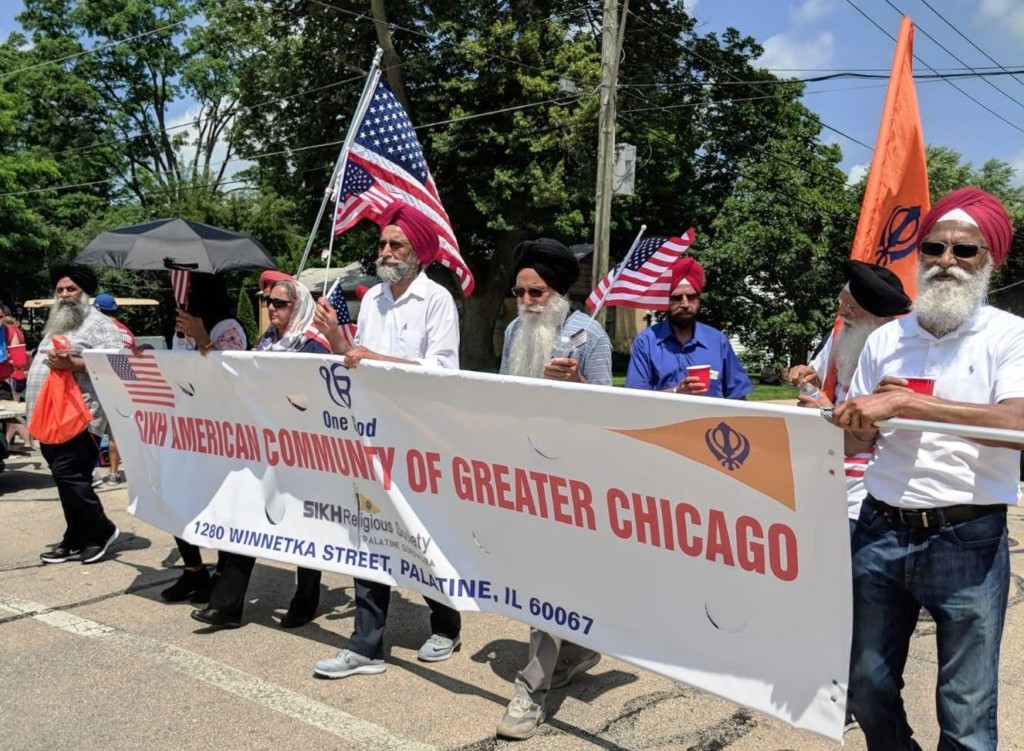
983 362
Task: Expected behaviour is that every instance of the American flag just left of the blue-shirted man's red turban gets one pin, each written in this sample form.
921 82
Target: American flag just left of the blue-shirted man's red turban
644 282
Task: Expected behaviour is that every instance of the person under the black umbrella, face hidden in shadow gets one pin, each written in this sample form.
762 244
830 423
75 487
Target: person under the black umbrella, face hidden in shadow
208 325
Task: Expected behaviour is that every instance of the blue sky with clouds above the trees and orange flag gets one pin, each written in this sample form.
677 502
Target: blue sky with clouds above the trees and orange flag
831 34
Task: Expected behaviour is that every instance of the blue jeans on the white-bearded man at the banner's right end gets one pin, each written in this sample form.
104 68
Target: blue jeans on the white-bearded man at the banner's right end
961 574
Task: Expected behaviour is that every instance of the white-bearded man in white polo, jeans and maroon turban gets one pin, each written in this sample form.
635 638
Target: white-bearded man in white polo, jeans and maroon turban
933 530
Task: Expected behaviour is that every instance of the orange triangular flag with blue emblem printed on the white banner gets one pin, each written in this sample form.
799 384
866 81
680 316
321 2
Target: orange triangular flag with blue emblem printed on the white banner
754 451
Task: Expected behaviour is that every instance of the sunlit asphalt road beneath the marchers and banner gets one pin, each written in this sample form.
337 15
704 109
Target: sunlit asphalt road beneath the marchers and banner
92 658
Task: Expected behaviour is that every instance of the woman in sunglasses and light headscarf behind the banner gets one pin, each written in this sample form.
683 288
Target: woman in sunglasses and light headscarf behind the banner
291 311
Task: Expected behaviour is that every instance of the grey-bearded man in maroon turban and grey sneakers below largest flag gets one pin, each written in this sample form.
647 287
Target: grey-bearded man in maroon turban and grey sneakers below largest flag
410 319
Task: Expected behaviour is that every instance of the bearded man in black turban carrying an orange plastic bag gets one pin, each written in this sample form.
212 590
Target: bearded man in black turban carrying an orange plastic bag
89 532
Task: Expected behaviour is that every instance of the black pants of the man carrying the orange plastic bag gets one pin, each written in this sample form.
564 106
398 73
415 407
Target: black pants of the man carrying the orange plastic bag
72 465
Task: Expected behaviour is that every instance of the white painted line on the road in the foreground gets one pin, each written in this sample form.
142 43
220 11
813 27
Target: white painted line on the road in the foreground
360 733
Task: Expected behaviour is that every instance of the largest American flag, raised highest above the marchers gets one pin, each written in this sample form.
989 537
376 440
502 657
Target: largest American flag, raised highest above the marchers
386 163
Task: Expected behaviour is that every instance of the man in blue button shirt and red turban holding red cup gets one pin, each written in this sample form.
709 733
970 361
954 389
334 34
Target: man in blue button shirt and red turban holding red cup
663 353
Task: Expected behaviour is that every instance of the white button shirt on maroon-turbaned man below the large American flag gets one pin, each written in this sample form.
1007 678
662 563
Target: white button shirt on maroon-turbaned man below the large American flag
421 326
